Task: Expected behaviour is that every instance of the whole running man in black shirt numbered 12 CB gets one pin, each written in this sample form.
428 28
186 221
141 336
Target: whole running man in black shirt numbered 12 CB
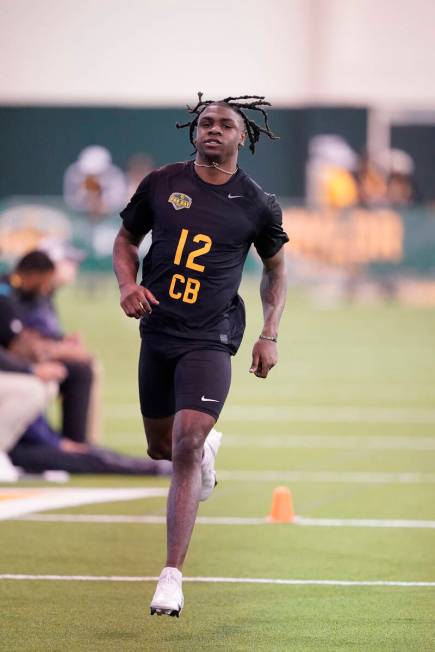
204 215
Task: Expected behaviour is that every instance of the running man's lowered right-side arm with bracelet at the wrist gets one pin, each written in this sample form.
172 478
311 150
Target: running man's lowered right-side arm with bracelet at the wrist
273 291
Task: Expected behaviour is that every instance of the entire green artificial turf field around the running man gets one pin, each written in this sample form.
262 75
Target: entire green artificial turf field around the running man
361 375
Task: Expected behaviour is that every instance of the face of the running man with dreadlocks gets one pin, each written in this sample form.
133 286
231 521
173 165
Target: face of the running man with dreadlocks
220 131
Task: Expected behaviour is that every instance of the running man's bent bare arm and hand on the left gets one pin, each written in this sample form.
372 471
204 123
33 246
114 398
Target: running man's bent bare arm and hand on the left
135 299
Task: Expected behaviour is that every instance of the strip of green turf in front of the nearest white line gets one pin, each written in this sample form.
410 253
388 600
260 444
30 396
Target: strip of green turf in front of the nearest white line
101 616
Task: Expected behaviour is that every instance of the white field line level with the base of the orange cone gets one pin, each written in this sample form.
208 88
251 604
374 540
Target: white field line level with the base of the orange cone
232 520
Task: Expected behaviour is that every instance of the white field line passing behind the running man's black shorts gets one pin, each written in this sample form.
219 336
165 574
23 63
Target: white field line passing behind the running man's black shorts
309 414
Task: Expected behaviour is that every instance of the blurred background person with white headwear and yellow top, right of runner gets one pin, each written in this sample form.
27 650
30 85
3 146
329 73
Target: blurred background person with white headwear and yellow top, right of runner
330 179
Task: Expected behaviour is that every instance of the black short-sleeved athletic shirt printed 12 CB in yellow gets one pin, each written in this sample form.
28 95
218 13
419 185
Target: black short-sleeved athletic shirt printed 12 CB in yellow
201 235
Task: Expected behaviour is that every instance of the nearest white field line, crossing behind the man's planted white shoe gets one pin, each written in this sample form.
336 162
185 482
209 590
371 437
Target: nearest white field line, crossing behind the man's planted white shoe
216 580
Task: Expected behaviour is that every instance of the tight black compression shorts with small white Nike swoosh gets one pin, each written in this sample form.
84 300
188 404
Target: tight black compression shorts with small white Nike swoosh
180 375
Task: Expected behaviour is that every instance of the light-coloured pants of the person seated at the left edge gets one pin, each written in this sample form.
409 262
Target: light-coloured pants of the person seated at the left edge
22 398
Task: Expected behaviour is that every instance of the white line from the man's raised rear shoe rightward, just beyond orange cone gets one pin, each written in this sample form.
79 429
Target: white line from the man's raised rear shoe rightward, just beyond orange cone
359 477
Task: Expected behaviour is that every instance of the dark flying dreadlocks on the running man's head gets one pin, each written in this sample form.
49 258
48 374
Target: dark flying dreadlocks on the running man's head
253 130
